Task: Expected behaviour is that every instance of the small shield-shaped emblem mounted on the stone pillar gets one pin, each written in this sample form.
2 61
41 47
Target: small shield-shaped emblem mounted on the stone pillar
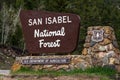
97 35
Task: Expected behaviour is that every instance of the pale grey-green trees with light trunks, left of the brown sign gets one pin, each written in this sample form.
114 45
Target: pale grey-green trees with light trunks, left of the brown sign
9 20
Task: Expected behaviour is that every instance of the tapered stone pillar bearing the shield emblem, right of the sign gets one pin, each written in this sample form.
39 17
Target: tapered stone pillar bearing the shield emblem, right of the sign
102 45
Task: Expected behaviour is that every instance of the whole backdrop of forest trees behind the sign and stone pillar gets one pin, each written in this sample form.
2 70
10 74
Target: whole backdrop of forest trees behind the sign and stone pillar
92 13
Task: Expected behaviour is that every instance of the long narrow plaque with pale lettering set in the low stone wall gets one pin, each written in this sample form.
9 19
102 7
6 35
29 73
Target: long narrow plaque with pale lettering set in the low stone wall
46 61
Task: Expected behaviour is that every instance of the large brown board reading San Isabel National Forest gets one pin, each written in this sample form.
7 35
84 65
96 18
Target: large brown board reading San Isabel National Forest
49 32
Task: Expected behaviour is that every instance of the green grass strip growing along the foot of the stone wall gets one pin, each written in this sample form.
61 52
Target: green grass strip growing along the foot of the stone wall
104 71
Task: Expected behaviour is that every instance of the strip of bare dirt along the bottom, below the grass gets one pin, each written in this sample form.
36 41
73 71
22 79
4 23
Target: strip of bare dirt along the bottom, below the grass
81 77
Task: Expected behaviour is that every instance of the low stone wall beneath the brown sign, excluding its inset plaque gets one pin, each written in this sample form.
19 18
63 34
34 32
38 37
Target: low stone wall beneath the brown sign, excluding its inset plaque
77 61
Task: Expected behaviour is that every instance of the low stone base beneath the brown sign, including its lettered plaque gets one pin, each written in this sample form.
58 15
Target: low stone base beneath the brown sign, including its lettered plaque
66 62
